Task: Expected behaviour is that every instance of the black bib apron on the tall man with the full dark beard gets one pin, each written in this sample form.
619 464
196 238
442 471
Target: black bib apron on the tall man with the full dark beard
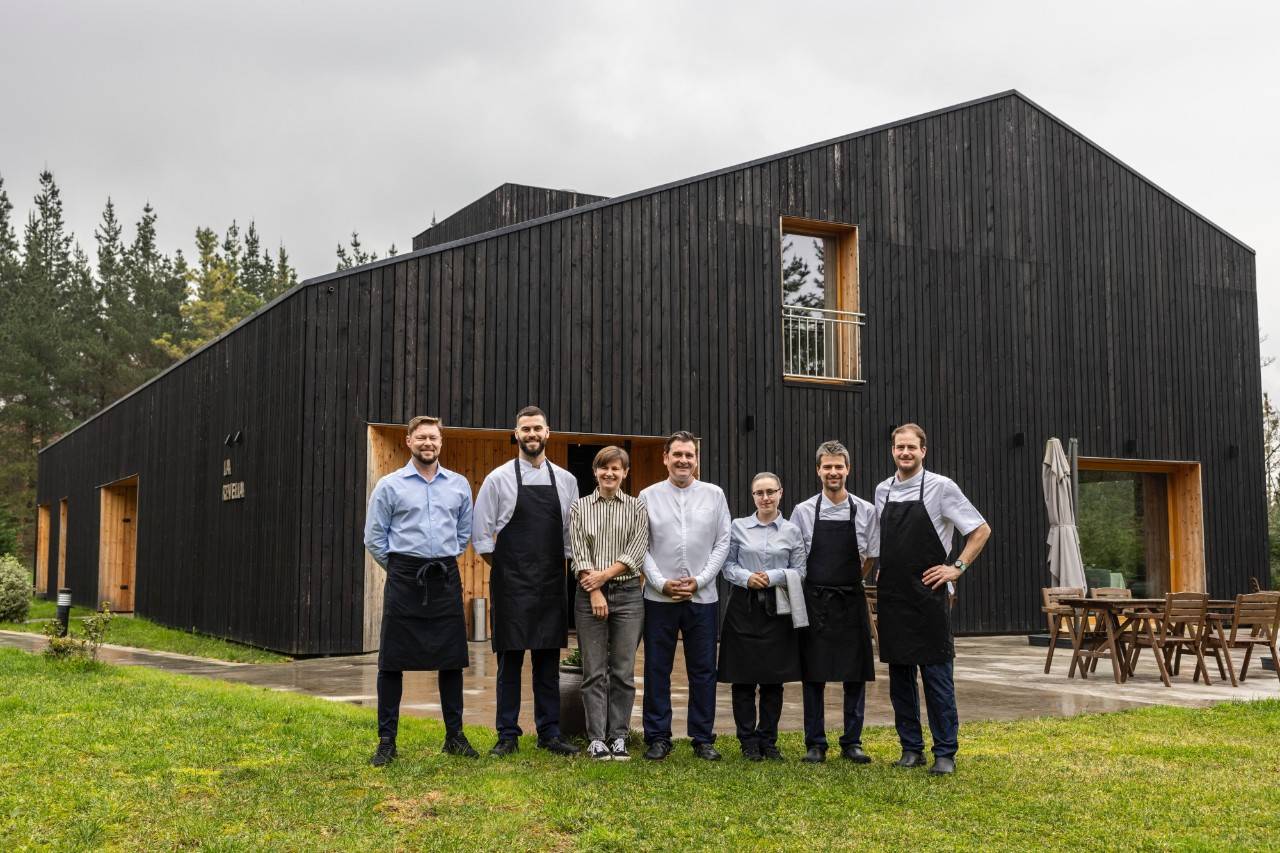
527 581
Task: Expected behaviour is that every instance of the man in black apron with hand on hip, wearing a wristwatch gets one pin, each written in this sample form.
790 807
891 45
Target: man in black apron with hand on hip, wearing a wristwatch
918 516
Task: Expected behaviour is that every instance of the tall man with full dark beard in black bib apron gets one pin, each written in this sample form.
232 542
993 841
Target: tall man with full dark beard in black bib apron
523 514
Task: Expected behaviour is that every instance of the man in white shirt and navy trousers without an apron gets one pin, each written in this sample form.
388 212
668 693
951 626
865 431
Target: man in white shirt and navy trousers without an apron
689 539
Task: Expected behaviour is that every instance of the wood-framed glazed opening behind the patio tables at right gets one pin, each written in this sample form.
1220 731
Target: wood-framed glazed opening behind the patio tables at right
1141 526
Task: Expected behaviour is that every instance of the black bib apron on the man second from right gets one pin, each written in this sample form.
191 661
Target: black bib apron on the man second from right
838 645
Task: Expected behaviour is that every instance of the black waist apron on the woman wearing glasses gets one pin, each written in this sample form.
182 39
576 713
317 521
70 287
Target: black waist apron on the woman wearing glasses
757 645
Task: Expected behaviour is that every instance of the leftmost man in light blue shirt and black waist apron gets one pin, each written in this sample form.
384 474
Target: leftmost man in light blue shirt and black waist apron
419 522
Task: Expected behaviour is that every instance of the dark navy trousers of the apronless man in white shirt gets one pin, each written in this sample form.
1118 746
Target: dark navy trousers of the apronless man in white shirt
697 626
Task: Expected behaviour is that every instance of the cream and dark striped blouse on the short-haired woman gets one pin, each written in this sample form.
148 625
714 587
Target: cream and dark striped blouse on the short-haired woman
607 531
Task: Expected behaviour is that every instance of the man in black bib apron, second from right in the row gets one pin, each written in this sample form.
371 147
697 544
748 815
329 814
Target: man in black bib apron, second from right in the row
838 645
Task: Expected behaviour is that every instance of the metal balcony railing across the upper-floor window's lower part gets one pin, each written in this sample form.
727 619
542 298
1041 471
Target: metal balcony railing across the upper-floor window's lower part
822 344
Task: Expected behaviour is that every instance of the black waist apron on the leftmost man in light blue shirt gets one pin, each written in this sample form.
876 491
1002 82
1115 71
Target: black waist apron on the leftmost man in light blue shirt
423 619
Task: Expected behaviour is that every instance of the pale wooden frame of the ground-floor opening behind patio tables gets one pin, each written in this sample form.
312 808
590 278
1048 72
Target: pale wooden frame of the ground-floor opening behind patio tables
1186 514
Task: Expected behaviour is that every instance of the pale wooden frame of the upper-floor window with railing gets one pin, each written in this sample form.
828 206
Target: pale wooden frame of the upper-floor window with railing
848 352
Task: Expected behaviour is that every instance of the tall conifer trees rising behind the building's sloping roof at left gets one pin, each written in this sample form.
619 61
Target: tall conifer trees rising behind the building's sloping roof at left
80 332
